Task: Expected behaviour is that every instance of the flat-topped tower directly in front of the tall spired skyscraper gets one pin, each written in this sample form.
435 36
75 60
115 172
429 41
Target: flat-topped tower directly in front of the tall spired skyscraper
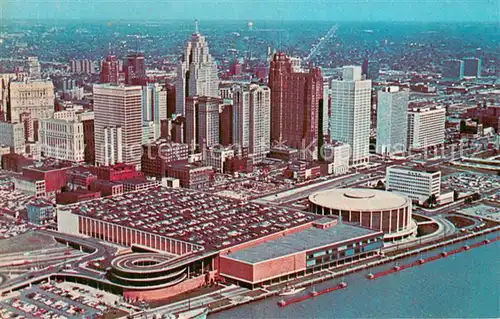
202 122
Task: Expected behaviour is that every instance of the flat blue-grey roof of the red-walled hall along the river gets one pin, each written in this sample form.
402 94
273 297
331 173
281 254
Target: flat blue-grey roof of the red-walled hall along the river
298 242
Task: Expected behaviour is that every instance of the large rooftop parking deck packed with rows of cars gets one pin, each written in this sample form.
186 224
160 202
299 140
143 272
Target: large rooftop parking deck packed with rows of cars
208 220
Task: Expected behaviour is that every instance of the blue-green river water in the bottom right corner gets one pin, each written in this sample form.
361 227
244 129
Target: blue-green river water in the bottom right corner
463 285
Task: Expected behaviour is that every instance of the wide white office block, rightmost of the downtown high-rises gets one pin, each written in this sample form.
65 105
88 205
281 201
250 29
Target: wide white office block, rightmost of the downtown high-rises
426 127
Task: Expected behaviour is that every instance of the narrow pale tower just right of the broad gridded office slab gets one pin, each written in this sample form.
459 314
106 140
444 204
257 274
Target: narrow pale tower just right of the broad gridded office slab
153 104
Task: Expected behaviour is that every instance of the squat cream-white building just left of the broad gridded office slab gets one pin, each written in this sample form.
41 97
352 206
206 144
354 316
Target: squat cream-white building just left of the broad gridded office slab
62 139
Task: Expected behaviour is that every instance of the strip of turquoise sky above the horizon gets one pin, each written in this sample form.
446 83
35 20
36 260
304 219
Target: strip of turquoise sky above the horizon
322 10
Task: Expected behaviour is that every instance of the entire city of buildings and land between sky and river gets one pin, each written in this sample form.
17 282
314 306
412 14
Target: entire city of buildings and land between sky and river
176 170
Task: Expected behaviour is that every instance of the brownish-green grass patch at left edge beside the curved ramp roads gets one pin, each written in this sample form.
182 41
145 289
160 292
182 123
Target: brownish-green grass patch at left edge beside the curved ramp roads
27 242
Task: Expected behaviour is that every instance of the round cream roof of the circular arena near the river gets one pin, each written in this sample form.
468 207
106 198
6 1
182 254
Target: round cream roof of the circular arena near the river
359 199
